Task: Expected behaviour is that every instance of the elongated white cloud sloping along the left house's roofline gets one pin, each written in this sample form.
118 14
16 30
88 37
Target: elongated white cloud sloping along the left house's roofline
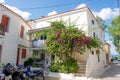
25 15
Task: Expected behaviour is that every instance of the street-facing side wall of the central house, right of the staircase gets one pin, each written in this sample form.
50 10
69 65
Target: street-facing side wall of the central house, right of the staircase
95 68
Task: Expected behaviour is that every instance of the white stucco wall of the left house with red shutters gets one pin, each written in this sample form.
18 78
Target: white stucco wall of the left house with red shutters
11 39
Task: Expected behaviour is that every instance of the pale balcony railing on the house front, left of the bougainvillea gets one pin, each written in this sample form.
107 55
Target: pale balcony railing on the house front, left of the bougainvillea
38 44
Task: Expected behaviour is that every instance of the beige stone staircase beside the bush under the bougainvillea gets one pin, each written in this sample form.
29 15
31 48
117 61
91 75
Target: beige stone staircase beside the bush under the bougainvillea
81 68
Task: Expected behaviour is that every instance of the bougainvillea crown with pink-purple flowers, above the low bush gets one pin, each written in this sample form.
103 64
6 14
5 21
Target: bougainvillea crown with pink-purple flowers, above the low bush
66 39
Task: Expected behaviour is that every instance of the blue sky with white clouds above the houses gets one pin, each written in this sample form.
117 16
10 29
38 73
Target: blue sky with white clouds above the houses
32 9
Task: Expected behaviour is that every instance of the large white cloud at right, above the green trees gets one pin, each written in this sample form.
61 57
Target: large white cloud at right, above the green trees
106 13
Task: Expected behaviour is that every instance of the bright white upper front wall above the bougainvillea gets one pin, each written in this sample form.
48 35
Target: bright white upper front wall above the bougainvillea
79 17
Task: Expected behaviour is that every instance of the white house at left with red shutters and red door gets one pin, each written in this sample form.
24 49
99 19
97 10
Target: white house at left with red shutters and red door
14 40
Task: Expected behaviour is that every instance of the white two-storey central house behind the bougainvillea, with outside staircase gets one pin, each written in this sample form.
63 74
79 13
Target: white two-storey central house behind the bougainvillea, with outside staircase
93 62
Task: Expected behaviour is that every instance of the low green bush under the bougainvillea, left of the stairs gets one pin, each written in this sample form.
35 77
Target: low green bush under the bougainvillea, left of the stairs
67 67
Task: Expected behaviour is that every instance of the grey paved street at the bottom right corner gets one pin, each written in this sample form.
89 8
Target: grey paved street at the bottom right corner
112 73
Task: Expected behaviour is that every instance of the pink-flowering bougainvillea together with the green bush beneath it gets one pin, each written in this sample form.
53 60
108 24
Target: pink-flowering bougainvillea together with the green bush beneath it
64 40
